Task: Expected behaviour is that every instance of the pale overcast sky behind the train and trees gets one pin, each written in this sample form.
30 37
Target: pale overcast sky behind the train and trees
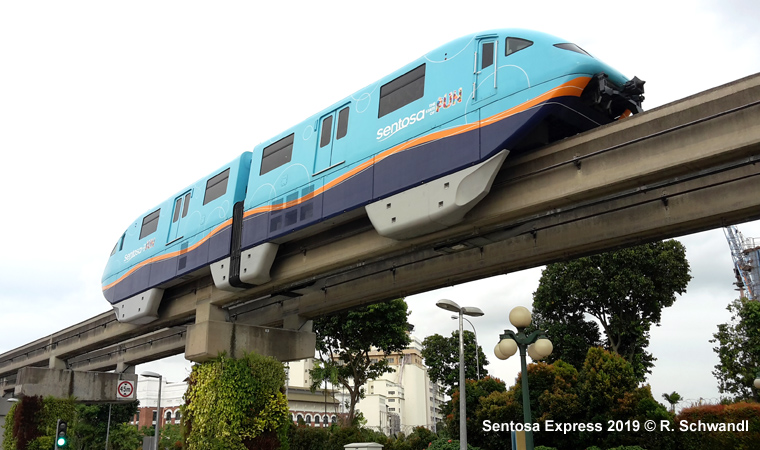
108 108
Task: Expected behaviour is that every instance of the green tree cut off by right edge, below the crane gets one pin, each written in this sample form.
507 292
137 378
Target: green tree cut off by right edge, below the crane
739 350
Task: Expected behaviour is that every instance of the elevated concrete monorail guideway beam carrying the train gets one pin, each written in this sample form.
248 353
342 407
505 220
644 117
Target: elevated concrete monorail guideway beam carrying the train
685 167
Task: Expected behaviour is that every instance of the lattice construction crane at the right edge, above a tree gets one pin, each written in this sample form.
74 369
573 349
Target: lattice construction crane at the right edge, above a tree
746 256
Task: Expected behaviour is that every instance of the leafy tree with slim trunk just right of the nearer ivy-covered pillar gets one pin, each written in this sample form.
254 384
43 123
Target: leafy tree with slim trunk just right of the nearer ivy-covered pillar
345 341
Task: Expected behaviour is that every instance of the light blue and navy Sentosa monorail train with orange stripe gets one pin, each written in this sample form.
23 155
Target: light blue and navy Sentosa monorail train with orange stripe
414 151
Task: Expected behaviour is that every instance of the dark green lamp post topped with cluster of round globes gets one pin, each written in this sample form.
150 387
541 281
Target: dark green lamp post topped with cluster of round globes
535 344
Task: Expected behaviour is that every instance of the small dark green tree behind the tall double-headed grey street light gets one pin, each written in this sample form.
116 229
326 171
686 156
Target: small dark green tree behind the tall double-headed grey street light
441 356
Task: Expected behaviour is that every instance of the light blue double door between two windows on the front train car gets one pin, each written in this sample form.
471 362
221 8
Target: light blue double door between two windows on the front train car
331 147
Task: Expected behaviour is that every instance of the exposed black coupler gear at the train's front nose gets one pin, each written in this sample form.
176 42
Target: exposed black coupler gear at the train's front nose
612 100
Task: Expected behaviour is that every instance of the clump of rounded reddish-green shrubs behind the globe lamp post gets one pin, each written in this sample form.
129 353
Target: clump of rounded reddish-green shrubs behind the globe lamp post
603 390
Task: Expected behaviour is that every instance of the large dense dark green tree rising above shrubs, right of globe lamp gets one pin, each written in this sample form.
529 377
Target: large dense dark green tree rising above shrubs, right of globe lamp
625 291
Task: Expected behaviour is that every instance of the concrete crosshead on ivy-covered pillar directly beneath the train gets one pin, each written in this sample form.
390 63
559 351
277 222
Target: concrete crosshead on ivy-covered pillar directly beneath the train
206 340
